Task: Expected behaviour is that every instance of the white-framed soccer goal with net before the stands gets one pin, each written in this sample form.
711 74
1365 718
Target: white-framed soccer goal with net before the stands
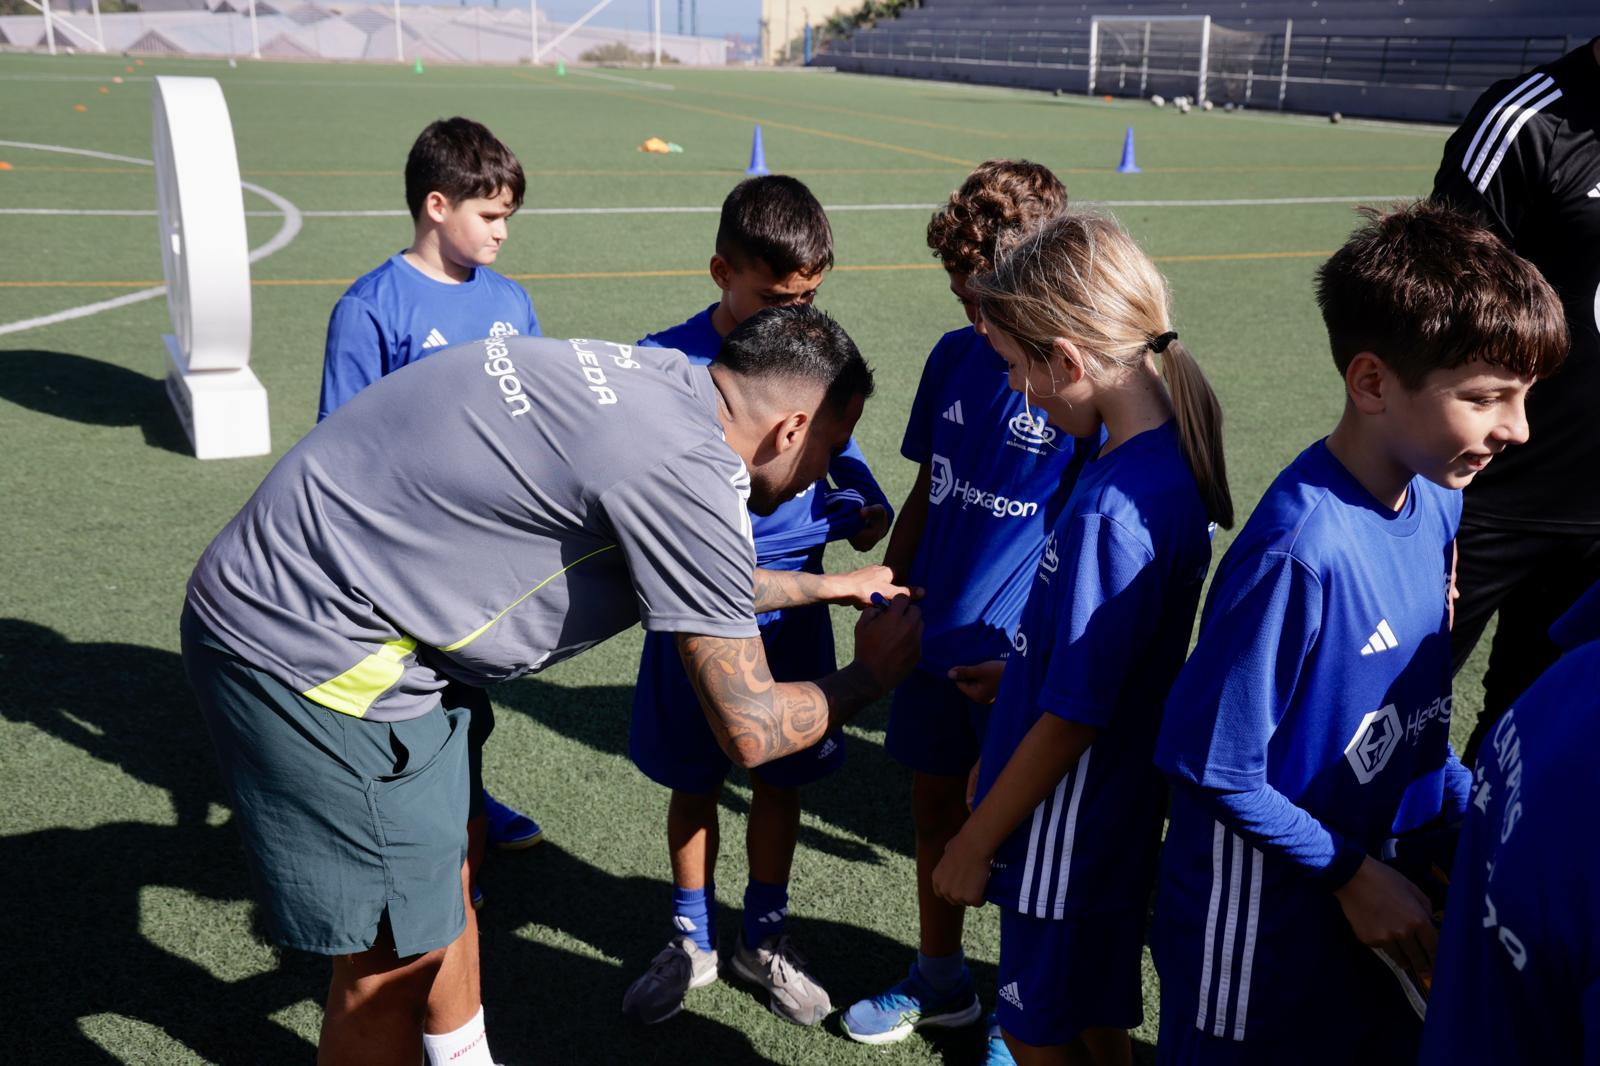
1175 57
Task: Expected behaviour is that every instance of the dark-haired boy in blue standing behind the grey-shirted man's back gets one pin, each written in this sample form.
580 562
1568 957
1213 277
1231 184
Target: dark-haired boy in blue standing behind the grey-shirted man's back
462 186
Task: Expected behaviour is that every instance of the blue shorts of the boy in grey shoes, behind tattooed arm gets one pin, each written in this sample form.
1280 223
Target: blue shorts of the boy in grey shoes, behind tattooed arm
670 739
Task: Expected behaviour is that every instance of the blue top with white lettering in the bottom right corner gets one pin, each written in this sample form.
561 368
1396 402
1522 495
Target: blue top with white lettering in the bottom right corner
1518 979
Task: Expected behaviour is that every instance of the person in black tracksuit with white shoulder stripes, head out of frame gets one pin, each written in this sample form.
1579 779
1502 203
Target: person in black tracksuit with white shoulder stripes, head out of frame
1527 161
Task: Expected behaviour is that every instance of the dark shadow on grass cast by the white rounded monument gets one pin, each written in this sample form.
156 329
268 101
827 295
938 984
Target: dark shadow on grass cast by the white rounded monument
90 391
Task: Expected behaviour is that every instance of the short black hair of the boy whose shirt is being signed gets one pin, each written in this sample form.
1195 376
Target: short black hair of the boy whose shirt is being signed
775 220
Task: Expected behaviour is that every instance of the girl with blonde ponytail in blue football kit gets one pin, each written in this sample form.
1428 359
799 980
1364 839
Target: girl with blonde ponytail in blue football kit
1068 803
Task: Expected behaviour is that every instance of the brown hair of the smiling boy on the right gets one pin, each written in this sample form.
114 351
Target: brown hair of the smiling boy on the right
1426 287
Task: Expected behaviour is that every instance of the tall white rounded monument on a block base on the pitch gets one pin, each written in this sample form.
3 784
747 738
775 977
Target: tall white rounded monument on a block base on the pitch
207 262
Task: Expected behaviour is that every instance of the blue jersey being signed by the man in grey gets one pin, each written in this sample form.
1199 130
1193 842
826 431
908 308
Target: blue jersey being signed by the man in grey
793 537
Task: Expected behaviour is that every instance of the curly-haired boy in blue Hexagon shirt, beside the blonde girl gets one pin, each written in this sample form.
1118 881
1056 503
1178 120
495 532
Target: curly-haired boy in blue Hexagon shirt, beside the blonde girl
978 564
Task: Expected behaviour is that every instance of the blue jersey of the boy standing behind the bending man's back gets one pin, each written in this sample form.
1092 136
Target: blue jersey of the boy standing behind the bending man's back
396 316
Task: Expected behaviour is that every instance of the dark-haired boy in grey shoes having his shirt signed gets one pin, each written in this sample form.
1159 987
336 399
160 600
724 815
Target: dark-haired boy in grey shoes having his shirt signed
774 246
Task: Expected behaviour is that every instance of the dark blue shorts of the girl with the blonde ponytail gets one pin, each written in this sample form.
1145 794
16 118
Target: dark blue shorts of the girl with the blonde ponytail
1060 977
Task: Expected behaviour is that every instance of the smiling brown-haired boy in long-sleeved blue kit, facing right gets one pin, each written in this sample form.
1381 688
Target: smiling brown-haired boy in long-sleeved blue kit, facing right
1313 719
